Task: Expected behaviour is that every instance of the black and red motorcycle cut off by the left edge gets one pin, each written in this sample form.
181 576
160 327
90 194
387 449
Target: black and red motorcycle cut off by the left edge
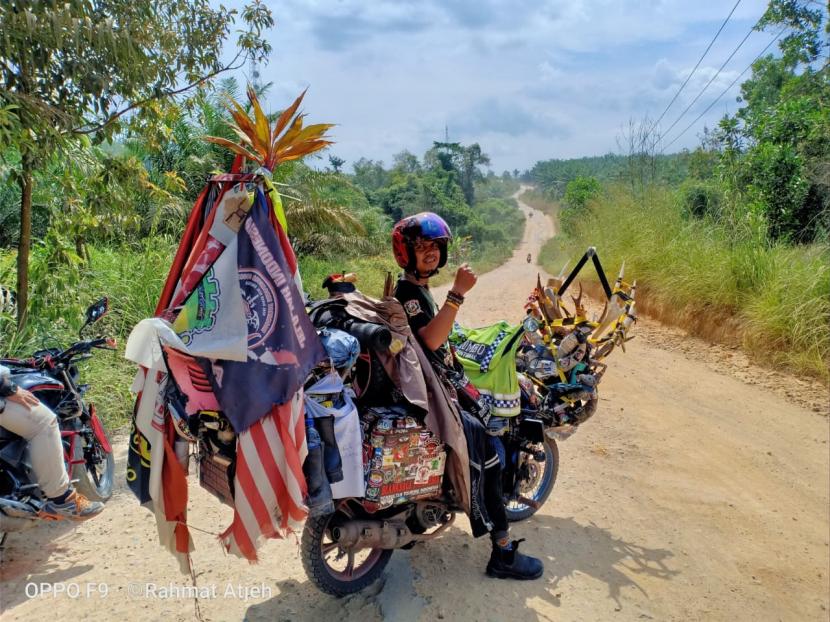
52 376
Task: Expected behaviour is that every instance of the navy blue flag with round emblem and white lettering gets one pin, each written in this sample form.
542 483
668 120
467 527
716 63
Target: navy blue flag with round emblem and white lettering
283 345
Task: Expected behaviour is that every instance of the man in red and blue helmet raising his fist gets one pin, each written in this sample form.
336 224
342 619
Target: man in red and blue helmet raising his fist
420 246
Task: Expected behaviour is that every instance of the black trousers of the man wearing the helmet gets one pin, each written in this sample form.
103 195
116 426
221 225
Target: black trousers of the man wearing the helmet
488 513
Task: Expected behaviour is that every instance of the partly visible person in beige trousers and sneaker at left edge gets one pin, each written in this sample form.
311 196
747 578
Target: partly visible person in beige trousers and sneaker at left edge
23 414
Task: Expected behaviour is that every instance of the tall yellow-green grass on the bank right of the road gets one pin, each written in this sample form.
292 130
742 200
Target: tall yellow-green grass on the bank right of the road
779 294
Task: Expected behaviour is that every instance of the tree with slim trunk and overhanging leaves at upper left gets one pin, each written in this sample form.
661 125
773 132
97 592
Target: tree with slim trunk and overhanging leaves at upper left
82 68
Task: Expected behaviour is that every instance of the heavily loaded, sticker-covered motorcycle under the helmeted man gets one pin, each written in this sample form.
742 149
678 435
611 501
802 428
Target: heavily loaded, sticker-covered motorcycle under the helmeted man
345 550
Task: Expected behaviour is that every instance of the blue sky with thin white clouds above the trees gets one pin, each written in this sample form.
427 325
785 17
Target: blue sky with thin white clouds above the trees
527 79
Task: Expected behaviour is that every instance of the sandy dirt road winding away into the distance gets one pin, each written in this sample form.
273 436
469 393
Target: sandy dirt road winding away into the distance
691 495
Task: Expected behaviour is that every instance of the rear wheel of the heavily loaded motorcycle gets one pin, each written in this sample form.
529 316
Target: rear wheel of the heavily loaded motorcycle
321 556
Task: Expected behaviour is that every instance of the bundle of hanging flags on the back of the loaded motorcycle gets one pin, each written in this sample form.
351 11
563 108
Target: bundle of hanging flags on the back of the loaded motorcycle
240 342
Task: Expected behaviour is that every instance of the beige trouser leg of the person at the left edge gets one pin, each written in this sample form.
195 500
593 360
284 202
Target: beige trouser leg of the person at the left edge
39 426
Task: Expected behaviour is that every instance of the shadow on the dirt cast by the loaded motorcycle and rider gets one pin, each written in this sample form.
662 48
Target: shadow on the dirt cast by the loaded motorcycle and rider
449 576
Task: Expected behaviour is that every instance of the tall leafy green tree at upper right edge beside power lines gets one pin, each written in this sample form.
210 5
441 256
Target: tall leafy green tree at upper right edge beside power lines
776 148
